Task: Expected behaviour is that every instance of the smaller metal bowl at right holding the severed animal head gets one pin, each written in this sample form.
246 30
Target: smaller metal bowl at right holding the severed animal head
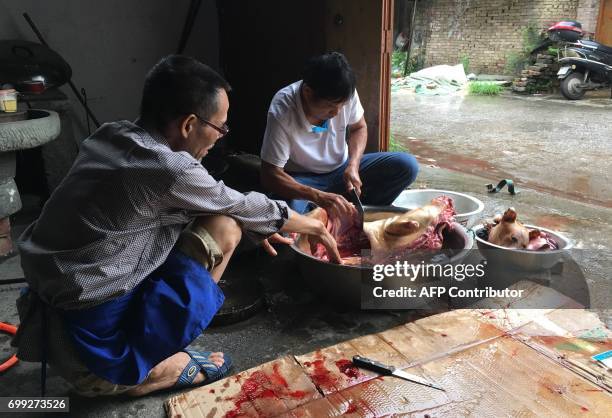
523 260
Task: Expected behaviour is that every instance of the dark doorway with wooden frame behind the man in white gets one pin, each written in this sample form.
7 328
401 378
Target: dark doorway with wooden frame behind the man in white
263 46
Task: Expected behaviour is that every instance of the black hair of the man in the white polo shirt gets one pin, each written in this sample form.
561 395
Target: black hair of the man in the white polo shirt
330 77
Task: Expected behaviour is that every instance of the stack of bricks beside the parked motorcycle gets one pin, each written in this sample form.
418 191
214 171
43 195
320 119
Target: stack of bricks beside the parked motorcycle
539 77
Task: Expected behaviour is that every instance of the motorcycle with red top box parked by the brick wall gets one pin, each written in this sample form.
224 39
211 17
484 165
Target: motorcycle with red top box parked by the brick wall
585 65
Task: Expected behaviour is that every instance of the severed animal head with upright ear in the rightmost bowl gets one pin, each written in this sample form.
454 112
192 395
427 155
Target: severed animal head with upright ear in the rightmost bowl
507 231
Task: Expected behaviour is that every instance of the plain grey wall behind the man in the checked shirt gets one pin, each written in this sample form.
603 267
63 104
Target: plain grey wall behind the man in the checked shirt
110 44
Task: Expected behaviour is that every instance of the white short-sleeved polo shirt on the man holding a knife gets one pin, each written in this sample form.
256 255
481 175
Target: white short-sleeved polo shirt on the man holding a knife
290 143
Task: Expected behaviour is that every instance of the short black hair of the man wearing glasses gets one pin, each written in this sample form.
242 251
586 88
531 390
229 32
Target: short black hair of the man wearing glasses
179 85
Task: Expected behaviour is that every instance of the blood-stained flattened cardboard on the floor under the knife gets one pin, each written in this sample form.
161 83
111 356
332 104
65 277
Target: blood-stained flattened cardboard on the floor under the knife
492 362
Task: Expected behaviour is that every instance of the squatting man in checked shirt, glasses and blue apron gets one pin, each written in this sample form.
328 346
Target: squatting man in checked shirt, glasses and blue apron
118 285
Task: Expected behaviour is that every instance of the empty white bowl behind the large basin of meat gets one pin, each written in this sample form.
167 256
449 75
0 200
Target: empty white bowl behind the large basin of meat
468 208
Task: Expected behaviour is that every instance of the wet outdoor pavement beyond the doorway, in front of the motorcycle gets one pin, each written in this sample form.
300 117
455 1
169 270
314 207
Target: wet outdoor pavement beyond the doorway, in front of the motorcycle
544 142
